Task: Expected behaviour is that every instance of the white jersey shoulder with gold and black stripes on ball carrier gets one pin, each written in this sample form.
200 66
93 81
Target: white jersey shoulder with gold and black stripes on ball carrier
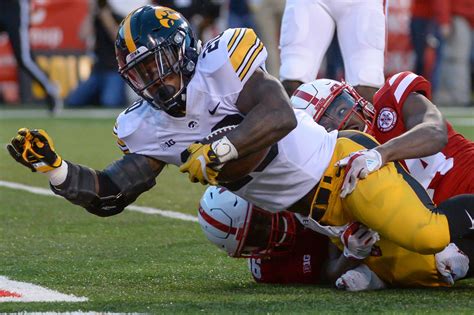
228 60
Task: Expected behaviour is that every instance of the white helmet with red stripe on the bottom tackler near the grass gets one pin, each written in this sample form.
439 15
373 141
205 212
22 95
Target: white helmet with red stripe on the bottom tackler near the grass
243 230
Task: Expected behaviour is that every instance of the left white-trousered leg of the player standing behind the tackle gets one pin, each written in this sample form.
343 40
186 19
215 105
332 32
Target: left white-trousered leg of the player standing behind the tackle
306 32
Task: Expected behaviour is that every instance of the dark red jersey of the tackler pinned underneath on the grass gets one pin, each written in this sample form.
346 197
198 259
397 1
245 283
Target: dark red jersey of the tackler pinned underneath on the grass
302 265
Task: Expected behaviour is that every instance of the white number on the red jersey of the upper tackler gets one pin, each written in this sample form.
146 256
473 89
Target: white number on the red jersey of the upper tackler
425 169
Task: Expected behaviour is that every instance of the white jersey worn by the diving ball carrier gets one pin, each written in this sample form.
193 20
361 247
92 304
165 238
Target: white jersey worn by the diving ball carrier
293 166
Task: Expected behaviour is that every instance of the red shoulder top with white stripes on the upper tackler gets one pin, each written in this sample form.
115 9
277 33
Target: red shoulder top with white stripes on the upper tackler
402 84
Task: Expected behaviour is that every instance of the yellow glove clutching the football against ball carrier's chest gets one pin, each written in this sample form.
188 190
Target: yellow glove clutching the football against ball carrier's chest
202 165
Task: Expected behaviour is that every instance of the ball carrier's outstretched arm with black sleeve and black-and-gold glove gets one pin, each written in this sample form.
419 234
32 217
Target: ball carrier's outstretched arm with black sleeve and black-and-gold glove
103 193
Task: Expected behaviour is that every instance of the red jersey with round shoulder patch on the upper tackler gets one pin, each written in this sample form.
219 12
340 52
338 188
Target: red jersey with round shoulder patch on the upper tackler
445 174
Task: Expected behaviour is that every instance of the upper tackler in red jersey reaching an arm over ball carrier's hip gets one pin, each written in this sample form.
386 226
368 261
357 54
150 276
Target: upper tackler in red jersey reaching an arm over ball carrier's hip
406 123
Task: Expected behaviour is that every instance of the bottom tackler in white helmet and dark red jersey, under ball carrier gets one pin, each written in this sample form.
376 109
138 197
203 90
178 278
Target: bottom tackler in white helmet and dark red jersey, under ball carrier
279 247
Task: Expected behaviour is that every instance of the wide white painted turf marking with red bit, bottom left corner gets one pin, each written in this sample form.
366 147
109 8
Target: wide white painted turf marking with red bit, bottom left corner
16 291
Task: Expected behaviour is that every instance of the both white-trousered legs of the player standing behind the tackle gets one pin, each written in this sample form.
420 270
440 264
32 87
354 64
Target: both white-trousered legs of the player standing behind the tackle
307 29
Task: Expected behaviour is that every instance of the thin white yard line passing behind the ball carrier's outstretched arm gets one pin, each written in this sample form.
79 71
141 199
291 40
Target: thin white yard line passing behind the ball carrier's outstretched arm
146 210
